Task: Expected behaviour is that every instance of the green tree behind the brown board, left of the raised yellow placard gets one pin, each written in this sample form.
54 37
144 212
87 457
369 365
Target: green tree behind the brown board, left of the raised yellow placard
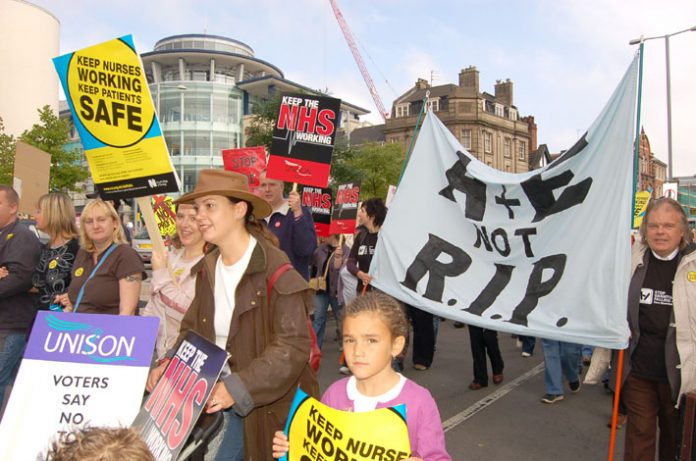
51 135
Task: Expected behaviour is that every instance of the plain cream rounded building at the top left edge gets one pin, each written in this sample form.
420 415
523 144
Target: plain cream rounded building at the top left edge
30 37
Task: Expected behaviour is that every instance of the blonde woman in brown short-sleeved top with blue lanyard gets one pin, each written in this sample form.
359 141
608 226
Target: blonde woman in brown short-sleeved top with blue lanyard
107 273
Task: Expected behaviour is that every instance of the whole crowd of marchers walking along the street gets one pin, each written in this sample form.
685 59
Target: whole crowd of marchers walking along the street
238 272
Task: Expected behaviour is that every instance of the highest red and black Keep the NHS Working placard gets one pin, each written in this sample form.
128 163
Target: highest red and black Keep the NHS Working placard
303 139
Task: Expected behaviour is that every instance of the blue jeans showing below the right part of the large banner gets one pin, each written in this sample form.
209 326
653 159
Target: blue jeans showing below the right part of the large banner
560 359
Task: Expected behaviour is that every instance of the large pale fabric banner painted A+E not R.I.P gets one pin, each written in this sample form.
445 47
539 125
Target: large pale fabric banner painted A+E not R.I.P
544 253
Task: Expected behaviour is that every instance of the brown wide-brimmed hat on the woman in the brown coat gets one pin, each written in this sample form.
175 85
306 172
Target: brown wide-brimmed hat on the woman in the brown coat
227 184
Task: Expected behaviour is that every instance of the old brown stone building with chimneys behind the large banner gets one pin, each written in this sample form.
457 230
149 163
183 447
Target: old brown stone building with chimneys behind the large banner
488 126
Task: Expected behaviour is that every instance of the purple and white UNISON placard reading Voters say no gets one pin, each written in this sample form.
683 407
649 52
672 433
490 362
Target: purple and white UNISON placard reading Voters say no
78 369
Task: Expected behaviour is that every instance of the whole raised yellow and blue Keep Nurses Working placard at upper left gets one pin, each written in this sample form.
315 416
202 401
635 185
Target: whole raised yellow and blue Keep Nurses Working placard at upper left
112 108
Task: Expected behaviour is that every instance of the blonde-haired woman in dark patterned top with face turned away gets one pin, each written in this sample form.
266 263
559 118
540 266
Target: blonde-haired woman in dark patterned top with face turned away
55 215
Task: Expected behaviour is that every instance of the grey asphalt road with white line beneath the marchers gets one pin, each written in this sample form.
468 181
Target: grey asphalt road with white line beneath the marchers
504 422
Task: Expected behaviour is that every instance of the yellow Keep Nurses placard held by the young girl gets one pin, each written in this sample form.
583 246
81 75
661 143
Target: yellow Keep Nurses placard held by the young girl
318 432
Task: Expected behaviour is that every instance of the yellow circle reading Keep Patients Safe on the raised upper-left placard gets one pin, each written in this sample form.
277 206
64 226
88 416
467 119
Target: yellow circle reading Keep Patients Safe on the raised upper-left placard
110 94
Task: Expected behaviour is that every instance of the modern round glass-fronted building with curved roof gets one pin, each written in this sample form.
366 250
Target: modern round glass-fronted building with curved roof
202 87
